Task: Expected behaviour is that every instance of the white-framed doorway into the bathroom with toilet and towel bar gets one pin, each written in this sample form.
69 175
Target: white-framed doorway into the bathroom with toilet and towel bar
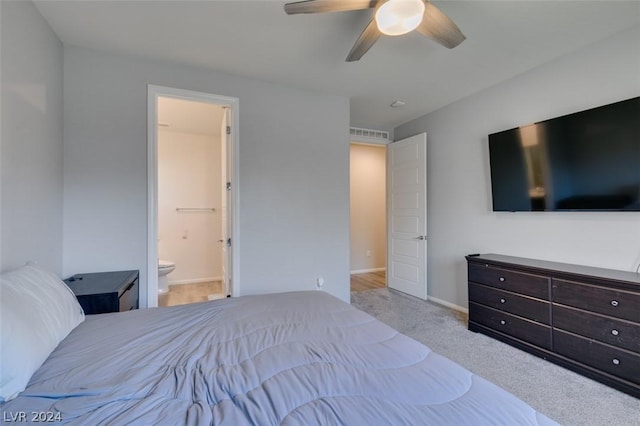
191 200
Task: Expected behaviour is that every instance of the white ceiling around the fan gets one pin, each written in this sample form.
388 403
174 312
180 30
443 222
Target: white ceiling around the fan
257 40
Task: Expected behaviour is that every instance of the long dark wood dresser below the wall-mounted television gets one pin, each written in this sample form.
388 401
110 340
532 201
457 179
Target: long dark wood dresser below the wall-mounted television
582 318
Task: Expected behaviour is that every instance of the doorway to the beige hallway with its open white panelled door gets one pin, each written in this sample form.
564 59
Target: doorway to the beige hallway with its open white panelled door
401 181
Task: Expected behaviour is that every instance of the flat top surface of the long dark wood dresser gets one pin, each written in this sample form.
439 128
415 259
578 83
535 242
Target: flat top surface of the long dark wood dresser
557 267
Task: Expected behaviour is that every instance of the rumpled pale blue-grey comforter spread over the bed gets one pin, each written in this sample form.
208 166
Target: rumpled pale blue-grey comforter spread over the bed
300 358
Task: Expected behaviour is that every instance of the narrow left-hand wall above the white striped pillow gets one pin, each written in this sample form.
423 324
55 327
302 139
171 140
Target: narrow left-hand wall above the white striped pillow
31 150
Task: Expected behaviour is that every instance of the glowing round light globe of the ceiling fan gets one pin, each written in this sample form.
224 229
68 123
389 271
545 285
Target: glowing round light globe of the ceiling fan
397 17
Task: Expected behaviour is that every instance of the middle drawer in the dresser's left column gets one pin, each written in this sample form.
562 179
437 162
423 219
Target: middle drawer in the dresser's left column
534 309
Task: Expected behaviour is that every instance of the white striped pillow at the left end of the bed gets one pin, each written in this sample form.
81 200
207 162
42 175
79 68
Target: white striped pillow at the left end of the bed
37 311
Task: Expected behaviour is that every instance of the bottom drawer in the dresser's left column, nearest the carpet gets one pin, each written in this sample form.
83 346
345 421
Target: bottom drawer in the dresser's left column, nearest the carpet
512 325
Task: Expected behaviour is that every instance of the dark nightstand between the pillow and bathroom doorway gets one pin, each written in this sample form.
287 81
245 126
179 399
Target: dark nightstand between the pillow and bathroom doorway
102 292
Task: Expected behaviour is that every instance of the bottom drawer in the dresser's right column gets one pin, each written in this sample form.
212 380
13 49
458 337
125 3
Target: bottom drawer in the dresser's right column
603 357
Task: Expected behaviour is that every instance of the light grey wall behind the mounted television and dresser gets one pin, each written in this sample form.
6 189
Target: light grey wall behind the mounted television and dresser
461 219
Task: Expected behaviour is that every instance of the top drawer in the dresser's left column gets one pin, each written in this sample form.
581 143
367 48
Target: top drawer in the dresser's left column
518 282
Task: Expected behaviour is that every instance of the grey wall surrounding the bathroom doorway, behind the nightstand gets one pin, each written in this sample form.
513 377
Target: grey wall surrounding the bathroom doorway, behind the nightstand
294 173
